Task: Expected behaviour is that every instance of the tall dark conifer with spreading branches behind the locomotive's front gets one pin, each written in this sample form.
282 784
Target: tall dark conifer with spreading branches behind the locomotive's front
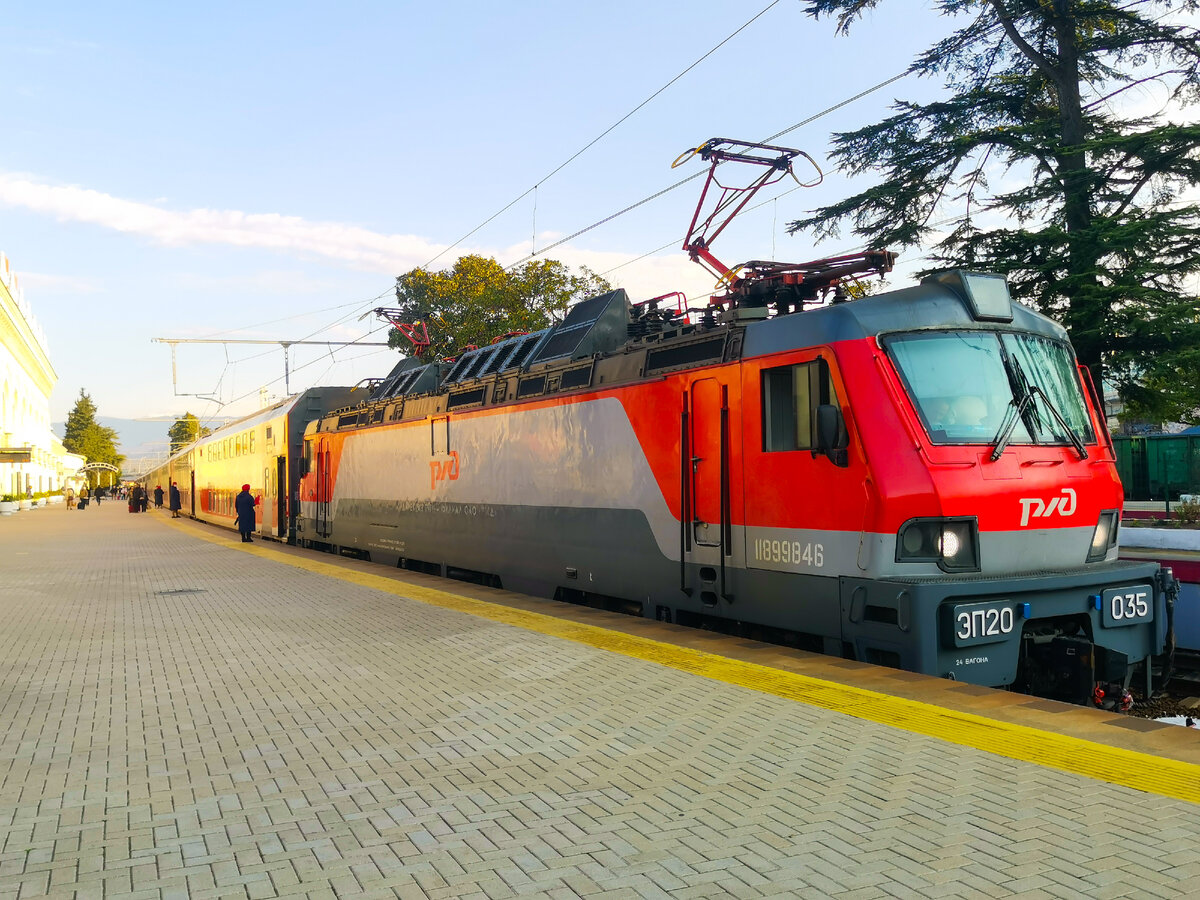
1088 220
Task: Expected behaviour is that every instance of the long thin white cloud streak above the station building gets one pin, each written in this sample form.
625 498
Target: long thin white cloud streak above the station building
357 248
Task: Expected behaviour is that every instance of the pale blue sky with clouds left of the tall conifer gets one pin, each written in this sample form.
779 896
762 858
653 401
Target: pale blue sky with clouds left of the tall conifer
263 171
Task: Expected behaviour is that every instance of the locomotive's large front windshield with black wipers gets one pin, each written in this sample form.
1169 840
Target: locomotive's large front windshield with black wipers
969 387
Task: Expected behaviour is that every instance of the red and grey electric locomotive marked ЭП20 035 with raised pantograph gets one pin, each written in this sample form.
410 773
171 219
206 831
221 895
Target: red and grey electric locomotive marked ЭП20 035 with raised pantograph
919 479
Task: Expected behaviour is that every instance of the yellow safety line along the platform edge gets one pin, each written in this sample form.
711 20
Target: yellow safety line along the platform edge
1143 772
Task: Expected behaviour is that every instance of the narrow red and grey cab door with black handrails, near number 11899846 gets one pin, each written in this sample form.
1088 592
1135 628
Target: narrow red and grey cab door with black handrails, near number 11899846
706 526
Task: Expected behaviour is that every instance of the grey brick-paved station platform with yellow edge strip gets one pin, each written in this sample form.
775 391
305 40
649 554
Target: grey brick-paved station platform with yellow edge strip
187 716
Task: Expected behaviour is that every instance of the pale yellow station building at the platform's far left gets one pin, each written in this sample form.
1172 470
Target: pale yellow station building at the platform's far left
33 460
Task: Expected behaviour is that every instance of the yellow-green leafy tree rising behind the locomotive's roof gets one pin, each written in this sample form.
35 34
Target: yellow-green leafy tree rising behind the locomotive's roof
478 301
